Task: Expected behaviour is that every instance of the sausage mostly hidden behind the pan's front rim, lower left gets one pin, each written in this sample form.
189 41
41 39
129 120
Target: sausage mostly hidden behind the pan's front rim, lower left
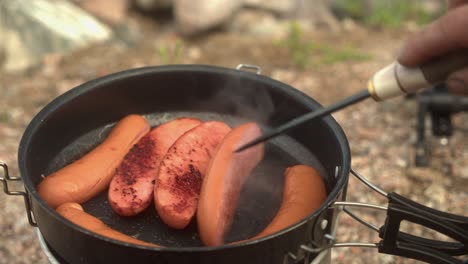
75 214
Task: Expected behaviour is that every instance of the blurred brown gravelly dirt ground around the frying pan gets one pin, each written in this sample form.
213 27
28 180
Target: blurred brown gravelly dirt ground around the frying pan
381 135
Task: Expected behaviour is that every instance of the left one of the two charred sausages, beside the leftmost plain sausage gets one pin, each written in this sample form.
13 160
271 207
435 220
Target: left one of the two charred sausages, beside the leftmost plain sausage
131 189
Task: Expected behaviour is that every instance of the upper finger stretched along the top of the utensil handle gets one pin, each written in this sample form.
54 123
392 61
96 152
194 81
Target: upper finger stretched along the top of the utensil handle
446 34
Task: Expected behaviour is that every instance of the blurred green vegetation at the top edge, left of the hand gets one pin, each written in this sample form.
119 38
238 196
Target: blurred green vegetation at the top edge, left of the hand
385 13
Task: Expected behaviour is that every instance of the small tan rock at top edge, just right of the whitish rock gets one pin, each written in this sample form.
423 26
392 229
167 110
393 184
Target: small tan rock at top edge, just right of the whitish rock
111 11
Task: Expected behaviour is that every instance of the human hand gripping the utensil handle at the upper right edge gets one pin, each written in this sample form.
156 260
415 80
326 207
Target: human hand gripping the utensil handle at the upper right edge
444 35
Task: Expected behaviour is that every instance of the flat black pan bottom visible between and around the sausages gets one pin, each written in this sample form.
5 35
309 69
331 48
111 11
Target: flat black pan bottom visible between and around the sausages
259 201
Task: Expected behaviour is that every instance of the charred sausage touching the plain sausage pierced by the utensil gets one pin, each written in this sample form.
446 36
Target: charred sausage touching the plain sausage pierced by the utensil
182 170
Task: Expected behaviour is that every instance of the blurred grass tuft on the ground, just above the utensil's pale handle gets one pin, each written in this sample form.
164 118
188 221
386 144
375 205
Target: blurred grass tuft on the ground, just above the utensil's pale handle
304 52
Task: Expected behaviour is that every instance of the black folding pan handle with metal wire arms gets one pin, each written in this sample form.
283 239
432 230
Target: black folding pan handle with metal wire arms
396 242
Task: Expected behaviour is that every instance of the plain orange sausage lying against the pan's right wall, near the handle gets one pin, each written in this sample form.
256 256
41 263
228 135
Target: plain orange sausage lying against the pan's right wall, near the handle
304 192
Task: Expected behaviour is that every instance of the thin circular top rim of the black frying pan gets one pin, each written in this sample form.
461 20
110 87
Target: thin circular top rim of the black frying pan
90 85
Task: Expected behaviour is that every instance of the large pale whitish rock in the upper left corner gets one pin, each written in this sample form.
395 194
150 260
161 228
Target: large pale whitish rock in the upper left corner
31 29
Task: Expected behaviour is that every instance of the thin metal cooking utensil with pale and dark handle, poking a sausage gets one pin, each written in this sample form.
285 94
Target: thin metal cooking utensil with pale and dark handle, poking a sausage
391 81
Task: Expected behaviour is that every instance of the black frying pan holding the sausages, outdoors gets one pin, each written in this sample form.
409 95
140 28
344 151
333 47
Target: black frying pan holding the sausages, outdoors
76 121
